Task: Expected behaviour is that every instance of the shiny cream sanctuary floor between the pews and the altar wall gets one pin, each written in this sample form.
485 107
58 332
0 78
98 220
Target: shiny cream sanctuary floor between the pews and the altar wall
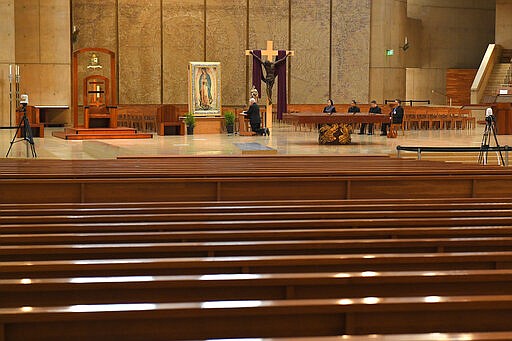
283 138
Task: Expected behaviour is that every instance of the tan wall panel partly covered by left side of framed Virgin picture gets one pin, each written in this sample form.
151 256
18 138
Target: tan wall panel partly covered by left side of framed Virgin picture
183 42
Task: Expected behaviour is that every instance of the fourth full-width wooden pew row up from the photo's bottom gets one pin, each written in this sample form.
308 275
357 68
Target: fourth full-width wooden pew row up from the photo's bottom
251 248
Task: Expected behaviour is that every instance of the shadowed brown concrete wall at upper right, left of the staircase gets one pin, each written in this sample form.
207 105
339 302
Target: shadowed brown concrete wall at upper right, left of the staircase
454 34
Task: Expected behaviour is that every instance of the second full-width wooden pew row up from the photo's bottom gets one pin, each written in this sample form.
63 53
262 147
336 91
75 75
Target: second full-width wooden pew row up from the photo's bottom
280 286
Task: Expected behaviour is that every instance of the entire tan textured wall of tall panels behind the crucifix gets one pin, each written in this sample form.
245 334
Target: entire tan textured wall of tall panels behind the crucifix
155 40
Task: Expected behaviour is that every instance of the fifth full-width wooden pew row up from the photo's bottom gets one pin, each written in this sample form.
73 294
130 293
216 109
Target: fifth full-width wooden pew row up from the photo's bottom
255 235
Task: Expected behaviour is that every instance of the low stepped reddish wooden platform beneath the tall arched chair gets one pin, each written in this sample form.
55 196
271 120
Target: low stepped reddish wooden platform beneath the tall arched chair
100 134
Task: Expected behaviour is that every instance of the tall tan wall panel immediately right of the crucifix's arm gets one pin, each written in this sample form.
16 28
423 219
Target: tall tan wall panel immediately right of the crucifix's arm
309 74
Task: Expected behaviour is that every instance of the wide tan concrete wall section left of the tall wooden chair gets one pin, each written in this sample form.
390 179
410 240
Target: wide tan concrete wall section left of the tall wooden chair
42 49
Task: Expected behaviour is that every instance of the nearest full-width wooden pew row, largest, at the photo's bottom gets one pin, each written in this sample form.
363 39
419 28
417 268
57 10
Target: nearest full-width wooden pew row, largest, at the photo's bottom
258 318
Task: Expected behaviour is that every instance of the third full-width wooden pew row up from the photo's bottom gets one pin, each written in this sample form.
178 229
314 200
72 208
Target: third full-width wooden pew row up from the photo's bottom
256 264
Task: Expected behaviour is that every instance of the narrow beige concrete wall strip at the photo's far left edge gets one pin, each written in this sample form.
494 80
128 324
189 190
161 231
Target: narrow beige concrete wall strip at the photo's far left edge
7 56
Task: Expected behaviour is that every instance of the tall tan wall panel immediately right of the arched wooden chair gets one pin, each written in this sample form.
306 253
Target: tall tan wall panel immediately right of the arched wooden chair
139 51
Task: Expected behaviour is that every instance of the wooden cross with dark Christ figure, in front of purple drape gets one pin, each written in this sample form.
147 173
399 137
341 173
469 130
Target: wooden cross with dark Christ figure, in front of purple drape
271 73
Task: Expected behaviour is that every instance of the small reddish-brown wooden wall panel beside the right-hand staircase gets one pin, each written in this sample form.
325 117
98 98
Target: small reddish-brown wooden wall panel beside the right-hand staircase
458 85
